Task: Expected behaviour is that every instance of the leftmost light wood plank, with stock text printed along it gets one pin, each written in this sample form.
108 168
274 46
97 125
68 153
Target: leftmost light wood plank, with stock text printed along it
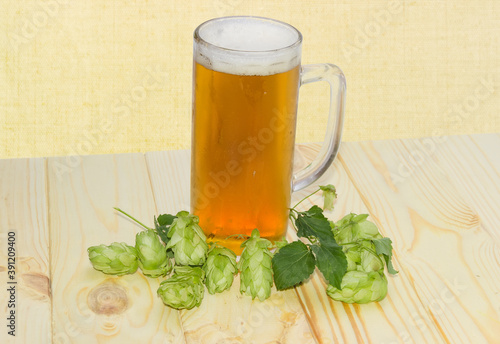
23 210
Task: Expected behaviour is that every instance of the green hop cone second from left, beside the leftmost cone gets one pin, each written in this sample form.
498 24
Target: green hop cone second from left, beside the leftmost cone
152 255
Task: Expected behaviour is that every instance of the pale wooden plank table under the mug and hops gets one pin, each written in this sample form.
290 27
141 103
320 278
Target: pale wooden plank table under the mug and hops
437 198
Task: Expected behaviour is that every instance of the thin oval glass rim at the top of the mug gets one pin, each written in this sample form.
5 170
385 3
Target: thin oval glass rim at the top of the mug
198 39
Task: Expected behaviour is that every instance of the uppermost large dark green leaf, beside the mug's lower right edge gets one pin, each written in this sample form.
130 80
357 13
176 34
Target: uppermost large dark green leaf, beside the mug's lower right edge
313 223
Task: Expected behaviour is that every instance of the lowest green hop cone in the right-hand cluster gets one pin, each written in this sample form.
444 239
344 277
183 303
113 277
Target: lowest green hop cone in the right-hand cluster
360 287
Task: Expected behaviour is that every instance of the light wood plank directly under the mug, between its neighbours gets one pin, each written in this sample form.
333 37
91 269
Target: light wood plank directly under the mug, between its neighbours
227 317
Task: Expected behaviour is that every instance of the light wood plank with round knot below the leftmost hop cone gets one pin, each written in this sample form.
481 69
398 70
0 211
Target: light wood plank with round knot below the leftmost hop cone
88 306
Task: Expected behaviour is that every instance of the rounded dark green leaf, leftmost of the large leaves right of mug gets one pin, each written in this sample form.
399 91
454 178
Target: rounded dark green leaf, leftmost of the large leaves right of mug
292 264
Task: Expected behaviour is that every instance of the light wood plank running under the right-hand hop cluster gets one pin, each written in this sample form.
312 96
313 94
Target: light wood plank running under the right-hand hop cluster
391 320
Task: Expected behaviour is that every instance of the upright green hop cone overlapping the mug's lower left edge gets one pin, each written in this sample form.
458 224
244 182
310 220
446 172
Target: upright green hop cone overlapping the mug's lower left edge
187 240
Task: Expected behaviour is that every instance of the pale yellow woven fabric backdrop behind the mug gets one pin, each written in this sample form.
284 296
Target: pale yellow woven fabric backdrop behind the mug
88 77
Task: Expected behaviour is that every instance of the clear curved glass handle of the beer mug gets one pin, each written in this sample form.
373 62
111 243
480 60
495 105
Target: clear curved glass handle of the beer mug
334 76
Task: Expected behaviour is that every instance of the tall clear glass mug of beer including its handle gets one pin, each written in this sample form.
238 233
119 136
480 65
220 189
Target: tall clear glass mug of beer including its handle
246 77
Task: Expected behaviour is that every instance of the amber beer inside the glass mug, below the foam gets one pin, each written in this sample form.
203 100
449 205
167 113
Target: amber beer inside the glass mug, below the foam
243 141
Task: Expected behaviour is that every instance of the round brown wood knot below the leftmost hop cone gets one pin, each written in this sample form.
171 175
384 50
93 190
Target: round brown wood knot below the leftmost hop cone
108 298
